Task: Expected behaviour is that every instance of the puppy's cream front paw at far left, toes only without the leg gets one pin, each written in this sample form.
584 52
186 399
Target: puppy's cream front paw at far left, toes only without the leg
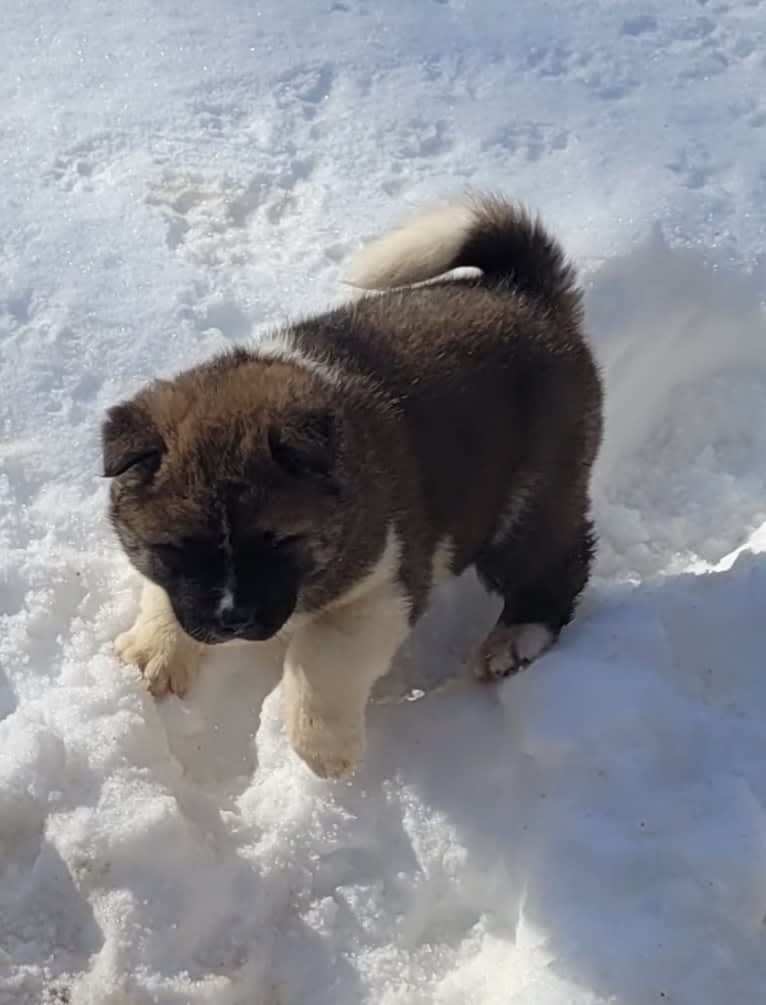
168 664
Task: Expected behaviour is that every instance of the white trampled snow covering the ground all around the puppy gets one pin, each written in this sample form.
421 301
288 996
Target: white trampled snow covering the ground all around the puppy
174 178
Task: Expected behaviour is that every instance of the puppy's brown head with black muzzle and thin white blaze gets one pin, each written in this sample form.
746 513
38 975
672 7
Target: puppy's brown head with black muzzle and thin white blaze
226 492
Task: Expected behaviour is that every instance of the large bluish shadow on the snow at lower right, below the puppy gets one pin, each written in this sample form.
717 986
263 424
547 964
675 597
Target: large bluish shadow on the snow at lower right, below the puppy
565 837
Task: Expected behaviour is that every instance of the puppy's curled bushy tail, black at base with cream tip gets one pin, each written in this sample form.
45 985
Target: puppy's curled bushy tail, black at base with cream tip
509 246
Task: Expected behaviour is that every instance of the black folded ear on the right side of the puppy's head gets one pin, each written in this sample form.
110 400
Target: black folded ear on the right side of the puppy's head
306 445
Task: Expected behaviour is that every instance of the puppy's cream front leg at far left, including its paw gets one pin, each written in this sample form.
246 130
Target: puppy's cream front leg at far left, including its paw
167 658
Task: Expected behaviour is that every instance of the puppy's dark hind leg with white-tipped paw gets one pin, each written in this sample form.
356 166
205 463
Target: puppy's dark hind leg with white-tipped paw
540 574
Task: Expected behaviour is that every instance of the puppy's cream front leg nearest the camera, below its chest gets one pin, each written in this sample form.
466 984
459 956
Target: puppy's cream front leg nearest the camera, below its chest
330 669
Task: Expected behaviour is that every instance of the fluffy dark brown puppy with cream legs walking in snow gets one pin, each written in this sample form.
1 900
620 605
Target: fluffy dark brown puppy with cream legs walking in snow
316 488
